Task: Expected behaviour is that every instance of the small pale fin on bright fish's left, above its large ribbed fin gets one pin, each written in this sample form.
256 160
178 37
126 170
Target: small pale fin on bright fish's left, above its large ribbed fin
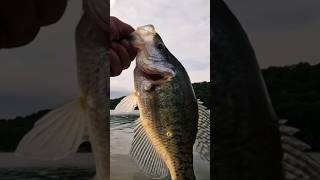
127 104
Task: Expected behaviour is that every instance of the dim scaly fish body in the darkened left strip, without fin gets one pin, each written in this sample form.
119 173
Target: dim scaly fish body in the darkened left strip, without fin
93 68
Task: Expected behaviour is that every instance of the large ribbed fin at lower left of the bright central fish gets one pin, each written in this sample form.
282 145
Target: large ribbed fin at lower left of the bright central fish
145 155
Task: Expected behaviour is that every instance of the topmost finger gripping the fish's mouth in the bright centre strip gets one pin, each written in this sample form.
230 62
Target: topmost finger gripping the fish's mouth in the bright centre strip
119 29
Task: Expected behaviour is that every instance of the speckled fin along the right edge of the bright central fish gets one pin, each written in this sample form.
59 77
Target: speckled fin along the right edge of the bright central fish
202 144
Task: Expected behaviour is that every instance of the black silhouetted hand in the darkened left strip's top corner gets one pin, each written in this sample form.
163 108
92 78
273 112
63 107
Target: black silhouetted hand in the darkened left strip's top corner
20 21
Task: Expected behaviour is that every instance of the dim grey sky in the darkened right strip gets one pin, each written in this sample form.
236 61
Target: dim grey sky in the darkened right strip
281 32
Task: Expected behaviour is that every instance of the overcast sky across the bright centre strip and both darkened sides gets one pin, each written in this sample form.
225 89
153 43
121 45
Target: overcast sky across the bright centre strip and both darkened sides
43 74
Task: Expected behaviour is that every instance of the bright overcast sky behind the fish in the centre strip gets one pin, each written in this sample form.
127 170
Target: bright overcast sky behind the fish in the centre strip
184 27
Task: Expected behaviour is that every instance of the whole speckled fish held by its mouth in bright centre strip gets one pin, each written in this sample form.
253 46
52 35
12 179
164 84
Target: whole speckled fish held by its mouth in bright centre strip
170 114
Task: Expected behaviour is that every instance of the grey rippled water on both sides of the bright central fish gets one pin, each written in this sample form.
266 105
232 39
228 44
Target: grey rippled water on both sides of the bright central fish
122 167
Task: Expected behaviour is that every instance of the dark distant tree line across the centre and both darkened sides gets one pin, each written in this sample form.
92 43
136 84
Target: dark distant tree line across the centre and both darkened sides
294 91
